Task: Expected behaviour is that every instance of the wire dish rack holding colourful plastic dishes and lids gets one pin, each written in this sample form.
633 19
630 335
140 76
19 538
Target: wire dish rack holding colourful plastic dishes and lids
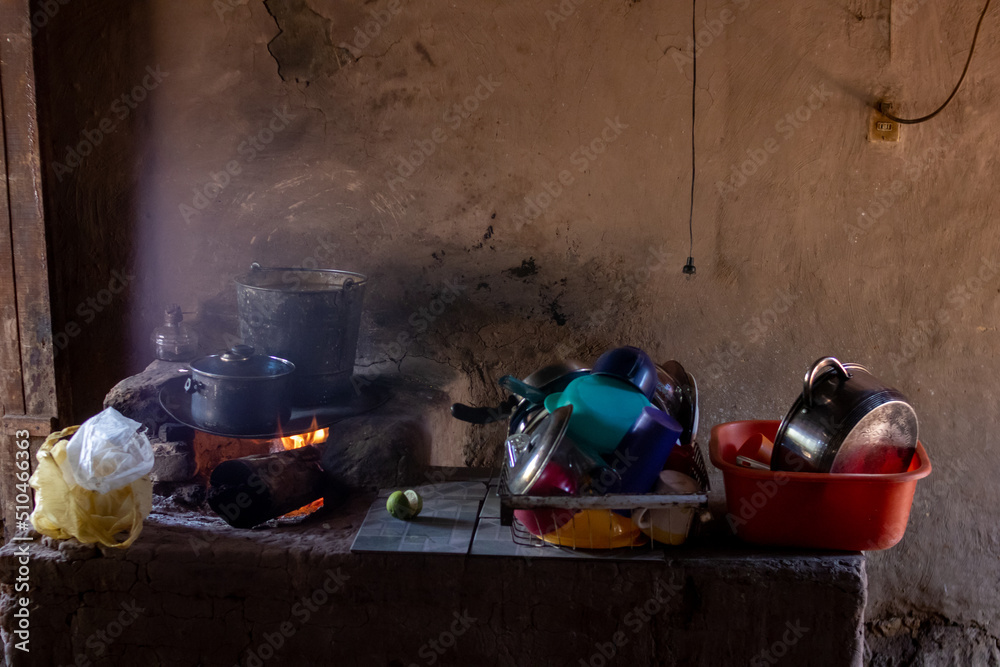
603 522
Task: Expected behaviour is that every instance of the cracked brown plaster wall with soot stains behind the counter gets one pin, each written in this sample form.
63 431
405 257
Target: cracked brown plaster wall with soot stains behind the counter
788 269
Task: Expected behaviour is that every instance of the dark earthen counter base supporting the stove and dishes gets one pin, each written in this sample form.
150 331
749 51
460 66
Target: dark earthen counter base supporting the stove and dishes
212 594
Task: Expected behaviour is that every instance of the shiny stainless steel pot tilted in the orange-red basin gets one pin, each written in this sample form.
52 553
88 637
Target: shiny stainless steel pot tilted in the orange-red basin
846 421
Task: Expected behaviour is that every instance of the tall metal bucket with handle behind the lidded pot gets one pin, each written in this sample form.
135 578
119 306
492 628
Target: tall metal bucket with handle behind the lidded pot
311 317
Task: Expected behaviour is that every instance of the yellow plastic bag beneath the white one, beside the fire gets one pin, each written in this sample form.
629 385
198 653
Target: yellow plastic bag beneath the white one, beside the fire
64 509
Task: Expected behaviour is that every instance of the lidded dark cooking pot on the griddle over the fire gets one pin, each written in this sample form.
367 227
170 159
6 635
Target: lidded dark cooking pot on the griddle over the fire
239 393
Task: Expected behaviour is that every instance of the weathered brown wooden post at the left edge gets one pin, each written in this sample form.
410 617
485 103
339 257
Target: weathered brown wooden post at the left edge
27 359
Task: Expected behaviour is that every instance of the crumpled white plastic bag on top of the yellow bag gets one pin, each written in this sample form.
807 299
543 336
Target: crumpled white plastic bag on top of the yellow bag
108 452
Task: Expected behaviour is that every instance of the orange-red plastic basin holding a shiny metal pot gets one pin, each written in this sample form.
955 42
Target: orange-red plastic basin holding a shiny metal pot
851 512
